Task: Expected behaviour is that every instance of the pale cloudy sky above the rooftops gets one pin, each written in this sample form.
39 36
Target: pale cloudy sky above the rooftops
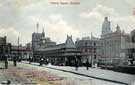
19 18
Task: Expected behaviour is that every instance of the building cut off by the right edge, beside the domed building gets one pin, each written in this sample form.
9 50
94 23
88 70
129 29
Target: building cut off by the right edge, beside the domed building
129 48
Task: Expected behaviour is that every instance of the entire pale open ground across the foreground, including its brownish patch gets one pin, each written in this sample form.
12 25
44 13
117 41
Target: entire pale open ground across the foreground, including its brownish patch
33 74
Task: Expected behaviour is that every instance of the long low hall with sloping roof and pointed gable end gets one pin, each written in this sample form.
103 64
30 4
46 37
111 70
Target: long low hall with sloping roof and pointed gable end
59 54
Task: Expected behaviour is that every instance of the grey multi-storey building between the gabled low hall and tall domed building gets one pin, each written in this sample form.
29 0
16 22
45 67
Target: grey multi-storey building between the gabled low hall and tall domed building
90 49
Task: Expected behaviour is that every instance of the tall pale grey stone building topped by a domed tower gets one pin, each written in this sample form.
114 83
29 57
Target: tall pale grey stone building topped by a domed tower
112 45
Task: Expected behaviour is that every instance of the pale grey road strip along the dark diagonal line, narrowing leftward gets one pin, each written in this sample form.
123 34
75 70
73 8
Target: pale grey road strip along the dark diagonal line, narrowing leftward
96 73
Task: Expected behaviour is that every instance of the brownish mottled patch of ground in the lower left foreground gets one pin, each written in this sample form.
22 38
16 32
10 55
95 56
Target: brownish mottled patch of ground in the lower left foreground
26 75
